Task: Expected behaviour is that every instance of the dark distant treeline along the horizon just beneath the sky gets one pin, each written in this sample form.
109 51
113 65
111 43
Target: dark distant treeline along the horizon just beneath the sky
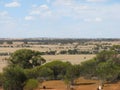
55 41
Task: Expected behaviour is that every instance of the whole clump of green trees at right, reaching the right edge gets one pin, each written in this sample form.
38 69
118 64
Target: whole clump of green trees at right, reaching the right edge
105 66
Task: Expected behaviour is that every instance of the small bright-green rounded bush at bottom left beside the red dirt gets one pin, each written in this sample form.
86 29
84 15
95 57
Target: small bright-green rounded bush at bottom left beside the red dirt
31 84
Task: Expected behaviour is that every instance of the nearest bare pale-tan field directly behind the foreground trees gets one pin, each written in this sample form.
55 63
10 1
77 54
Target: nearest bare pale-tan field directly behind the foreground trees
74 59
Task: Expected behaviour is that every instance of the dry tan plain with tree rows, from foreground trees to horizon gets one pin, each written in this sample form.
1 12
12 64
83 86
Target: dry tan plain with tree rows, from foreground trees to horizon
72 50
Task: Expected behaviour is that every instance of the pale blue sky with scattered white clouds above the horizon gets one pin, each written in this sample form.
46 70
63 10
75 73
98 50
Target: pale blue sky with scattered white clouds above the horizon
60 18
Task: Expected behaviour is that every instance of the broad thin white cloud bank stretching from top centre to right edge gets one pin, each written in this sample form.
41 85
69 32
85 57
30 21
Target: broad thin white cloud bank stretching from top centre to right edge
92 12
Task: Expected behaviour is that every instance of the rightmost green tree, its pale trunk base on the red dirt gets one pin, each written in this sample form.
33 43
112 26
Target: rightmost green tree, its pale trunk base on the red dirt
108 66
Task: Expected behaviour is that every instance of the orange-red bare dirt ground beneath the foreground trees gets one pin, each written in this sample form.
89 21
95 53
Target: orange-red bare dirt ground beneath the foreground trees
82 84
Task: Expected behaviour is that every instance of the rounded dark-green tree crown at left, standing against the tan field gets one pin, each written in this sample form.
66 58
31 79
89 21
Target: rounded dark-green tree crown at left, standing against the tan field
26 58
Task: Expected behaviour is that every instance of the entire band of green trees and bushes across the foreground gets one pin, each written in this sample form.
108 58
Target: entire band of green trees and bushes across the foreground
28 65
